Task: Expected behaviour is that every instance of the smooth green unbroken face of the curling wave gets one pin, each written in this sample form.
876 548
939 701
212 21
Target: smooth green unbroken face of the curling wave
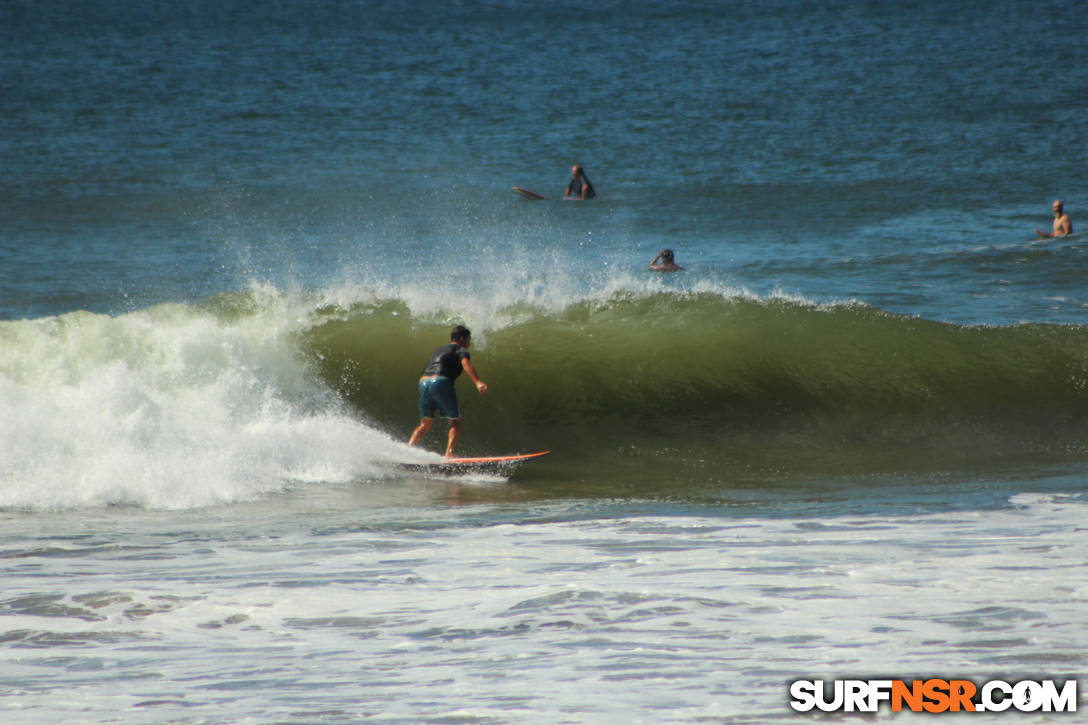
667 382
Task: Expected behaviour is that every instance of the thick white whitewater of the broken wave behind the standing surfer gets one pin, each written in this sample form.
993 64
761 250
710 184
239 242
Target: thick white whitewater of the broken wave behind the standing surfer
175 407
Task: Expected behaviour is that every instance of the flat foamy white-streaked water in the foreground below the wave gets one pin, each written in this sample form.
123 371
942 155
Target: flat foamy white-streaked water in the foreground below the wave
355 604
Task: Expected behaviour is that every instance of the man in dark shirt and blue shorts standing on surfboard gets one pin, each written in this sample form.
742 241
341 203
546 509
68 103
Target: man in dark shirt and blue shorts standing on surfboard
437 392
